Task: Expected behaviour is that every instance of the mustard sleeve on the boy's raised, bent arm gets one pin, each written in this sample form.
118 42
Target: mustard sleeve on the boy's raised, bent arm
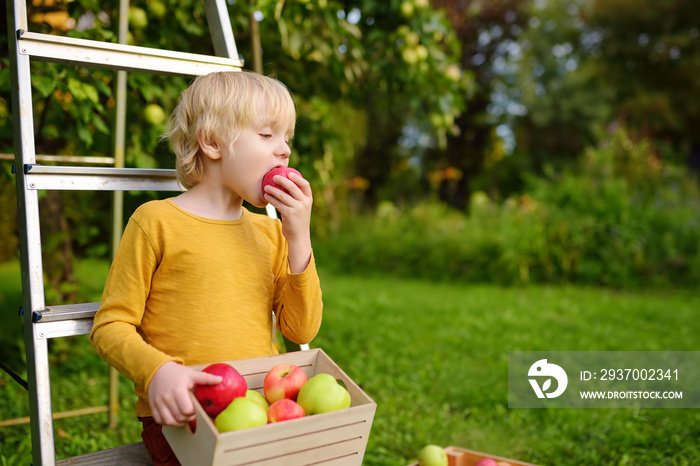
298 304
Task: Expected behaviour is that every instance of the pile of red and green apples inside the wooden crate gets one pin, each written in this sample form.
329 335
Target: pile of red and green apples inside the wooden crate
288 394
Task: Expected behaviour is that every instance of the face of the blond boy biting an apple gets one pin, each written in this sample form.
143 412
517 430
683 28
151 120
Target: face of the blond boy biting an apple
254 153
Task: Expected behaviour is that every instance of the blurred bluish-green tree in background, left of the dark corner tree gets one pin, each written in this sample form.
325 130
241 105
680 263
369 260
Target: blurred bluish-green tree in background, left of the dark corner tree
565 103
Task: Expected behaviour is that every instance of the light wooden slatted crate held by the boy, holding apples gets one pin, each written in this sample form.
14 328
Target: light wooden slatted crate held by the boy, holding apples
337 438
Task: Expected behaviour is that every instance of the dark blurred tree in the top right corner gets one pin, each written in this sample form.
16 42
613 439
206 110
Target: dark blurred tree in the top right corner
649 52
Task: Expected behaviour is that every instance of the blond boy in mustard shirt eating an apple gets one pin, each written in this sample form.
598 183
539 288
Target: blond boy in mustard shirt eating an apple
197 277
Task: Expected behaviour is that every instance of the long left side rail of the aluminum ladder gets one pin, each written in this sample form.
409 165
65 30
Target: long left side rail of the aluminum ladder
36 348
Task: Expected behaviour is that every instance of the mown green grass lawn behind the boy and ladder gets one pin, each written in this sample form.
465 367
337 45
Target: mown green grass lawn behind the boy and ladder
434 358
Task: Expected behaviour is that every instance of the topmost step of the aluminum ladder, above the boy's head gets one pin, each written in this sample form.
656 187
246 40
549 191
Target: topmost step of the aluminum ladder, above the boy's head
72 51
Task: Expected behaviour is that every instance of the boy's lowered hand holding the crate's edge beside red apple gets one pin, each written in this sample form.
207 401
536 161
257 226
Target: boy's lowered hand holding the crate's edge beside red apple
168 395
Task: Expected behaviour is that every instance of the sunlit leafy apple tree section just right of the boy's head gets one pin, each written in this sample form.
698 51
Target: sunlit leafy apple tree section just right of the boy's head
383 66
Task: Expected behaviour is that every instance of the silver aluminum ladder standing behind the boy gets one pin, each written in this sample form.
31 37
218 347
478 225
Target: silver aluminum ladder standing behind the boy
42 323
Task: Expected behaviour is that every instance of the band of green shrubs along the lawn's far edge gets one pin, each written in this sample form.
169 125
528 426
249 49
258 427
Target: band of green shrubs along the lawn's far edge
624 218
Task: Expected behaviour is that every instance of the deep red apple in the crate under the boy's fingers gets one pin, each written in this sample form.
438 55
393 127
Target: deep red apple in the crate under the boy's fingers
215 398
